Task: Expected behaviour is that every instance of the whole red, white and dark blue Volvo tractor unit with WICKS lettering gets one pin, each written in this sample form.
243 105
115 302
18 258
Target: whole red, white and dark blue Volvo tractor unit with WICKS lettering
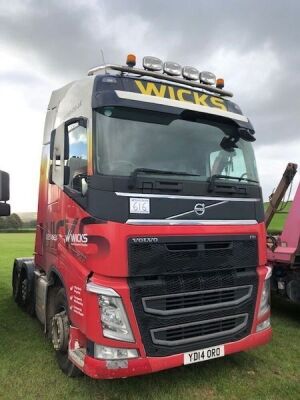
150 247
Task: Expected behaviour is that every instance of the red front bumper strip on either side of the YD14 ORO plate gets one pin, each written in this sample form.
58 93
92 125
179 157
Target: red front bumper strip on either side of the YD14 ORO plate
102 369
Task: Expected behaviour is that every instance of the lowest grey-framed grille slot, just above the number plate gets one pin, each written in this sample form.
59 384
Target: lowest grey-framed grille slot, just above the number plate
200 330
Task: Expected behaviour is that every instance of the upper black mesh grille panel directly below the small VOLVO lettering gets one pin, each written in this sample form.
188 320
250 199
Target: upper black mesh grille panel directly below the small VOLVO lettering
191 254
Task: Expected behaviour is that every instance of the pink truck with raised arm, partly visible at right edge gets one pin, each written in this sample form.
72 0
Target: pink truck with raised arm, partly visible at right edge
284 249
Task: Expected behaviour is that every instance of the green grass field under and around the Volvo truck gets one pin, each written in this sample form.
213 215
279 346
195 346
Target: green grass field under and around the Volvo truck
28 368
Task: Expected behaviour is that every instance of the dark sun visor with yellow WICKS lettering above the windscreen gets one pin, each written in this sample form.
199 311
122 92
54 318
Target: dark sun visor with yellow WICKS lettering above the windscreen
165 97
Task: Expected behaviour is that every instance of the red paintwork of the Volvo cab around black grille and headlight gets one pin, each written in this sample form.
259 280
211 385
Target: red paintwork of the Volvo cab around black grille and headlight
106 257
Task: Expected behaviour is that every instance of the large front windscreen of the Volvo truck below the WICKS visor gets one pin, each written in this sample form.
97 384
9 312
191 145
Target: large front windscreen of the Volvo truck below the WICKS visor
128 139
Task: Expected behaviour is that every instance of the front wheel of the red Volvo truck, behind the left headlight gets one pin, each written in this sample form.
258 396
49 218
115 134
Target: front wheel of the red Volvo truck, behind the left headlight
58 329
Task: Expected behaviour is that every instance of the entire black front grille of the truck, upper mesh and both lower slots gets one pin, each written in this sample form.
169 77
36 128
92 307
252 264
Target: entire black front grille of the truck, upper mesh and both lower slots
187 303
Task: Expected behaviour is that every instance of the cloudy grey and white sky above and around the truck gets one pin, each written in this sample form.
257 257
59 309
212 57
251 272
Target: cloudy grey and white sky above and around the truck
252 44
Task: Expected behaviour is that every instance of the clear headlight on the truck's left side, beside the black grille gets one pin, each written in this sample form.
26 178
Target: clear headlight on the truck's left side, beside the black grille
114 319
